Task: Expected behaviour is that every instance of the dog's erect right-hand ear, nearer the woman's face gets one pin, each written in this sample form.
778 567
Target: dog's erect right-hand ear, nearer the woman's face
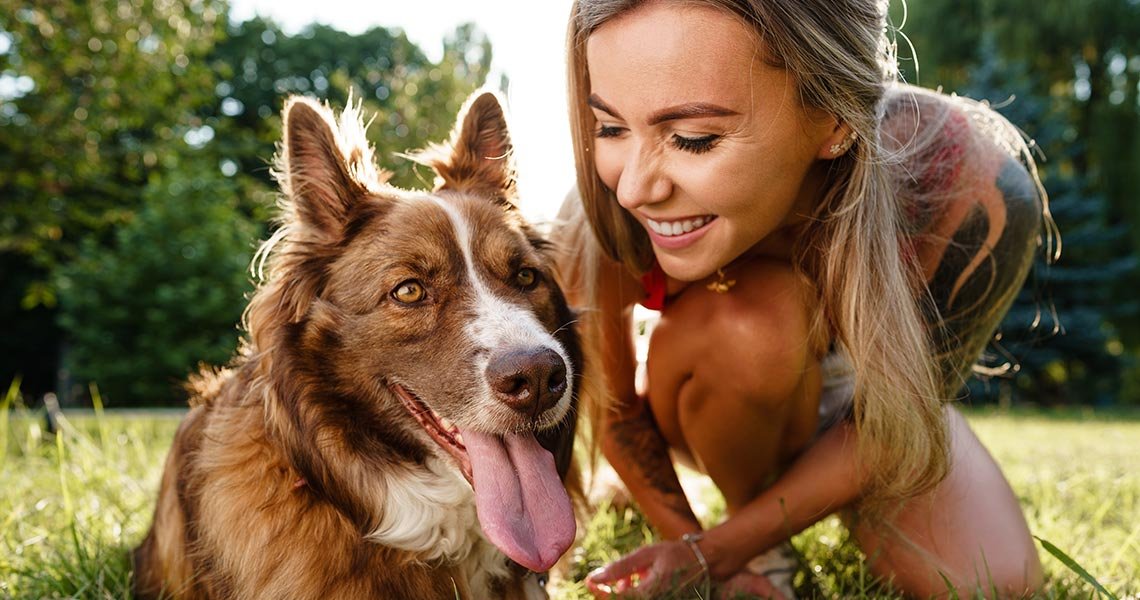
478 158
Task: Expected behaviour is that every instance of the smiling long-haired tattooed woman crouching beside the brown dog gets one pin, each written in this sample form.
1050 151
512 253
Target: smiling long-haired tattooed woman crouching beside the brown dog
830 253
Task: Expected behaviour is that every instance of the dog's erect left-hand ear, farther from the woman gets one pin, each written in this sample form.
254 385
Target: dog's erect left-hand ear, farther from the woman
313 169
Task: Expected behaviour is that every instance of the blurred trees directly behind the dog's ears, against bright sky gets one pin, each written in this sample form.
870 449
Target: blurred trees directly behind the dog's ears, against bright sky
411 100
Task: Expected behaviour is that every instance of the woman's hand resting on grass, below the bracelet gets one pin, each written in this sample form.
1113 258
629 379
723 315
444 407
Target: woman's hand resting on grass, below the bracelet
650 572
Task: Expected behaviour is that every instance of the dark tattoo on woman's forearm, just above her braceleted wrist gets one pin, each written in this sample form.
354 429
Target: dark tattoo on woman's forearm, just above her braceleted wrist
639 440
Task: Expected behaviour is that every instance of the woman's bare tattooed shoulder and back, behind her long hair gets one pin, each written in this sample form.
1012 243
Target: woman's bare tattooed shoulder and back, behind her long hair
974 207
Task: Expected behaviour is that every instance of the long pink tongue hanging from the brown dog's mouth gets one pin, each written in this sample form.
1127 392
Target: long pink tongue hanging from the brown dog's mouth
523 506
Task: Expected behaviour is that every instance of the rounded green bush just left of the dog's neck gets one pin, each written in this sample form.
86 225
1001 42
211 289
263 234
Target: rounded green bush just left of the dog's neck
168 294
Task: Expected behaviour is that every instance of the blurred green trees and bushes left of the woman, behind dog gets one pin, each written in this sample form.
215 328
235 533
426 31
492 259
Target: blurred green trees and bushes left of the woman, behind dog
136 140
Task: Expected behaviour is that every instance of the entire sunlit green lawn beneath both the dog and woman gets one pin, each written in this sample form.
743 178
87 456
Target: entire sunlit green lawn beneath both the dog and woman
74 506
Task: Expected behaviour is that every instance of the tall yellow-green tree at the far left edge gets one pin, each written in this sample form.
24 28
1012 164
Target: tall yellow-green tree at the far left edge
92 95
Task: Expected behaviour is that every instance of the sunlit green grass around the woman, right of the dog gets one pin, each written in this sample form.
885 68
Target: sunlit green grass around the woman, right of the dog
1076 473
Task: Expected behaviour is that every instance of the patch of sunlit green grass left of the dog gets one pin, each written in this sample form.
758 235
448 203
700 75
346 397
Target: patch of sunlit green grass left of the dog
76 505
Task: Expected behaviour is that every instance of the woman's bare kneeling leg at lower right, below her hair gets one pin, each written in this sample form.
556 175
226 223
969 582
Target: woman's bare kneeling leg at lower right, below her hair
971 531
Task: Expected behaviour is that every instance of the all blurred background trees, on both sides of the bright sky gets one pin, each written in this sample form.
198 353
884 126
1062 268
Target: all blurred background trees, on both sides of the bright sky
136 139
